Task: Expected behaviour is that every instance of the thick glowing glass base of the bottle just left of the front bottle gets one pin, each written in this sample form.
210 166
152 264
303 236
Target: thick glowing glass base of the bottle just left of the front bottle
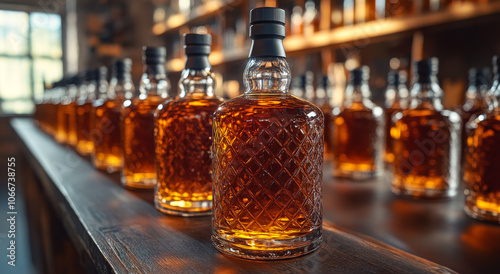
185 208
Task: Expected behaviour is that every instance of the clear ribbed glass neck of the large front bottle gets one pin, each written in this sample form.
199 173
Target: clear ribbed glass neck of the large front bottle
267 75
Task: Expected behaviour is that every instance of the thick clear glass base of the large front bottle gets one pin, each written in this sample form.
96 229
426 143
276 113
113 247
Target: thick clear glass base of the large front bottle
268 249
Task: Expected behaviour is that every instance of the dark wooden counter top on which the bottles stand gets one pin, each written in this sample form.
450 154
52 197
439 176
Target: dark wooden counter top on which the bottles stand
121 231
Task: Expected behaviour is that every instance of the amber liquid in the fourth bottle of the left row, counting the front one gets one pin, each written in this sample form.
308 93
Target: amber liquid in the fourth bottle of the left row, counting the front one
108 154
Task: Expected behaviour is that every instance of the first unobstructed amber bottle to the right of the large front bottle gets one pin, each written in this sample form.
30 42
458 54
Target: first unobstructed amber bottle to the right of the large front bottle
358 131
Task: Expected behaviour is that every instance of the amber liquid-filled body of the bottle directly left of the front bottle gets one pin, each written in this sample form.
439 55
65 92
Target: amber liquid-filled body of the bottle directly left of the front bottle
183 156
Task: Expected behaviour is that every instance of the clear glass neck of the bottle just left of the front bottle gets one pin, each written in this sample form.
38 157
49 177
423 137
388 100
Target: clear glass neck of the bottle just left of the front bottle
199 83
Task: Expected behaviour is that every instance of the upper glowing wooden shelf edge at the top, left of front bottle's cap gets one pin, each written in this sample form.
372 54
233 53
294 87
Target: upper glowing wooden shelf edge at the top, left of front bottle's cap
176 21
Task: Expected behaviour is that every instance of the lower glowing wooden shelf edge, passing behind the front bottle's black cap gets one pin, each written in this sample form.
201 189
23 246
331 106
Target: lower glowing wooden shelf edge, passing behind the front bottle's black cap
361 33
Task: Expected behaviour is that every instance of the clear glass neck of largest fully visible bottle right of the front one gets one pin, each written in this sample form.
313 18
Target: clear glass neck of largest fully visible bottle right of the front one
426 93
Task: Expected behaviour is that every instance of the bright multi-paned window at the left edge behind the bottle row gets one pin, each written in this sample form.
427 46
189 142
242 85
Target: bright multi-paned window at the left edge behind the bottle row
30 54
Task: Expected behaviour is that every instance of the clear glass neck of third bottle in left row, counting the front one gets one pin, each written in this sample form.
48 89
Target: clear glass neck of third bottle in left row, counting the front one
154 81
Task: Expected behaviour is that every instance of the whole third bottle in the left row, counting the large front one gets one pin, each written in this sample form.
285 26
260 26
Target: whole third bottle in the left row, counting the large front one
138 122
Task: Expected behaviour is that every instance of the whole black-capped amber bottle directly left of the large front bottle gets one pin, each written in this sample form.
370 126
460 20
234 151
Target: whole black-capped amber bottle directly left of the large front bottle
183 133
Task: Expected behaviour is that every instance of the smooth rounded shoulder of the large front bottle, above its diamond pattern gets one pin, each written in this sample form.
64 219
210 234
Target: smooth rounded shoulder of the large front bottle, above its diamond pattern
259 106
